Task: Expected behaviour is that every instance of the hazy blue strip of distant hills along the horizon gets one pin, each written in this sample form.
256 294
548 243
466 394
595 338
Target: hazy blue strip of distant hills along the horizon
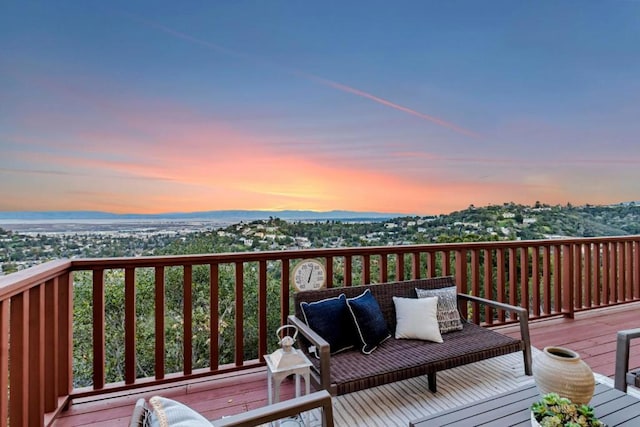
221 215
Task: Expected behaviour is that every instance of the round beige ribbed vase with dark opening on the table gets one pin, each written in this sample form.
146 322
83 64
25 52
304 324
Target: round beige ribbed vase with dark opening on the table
560 370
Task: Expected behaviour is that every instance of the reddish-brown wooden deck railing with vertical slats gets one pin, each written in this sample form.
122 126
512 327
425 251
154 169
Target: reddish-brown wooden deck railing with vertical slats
550 278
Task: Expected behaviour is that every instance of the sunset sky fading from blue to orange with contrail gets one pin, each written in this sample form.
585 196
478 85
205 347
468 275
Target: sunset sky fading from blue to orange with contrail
416 107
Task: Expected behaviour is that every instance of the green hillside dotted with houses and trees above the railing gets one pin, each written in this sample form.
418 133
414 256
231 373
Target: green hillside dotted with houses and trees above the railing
509 221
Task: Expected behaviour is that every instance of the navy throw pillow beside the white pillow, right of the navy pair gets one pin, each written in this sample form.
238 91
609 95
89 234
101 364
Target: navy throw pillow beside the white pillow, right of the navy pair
371 327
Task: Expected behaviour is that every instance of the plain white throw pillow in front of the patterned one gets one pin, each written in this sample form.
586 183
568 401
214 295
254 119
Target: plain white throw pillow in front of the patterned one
417 318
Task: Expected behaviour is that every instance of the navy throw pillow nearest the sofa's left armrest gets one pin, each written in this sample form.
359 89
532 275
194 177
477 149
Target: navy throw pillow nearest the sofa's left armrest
330 318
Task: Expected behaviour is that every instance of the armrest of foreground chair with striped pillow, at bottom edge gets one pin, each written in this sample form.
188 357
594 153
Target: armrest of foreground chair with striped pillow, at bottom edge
287 408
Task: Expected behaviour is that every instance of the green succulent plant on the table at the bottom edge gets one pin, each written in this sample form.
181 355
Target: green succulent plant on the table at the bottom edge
555 411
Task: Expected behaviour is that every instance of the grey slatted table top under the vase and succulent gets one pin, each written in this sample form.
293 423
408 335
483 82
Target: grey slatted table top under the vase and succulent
611 406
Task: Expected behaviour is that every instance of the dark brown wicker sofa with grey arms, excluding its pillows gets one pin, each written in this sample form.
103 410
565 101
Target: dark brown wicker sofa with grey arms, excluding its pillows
396 360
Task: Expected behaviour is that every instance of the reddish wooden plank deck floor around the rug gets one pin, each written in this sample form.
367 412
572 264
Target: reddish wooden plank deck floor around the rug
591 333
